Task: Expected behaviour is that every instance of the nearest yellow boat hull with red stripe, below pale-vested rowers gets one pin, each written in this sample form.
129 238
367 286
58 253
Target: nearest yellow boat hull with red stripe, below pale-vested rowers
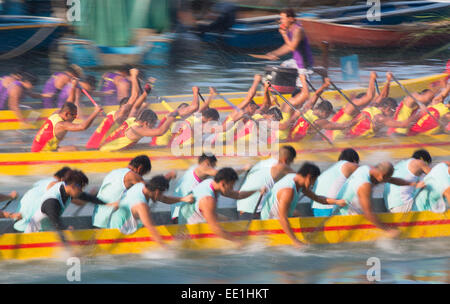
312 230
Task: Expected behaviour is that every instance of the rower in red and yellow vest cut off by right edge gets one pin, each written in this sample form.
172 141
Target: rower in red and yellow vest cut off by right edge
429 125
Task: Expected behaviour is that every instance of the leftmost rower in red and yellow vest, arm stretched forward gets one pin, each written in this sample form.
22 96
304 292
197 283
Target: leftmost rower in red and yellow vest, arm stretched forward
56 127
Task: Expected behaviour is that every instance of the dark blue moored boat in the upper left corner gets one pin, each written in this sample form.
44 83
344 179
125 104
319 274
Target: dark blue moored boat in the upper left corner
21 34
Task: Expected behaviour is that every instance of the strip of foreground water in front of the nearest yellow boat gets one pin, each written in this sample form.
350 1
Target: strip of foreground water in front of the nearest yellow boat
406 261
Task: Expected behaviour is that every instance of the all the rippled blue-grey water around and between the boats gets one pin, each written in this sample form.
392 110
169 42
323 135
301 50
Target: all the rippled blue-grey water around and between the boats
194 63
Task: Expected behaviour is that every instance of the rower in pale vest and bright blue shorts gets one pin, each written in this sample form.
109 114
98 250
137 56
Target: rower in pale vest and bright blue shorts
330 182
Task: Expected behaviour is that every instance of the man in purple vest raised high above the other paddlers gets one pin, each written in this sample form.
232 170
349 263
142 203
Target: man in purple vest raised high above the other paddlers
295 42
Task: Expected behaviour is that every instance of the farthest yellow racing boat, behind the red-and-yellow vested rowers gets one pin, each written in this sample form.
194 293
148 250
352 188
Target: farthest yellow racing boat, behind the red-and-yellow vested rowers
9 121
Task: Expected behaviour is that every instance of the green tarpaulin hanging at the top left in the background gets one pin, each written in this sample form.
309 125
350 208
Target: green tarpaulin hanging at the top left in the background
111 22
